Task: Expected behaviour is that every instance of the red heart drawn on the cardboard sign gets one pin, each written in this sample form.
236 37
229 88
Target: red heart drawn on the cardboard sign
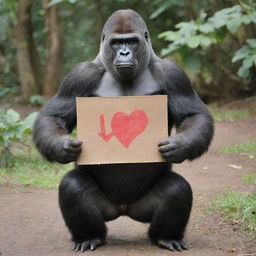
127 127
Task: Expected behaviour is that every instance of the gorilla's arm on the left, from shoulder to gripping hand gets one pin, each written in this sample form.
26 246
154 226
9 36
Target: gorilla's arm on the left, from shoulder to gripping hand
58 118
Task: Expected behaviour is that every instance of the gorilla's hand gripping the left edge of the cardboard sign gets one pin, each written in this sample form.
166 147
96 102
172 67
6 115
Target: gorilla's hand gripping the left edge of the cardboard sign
67 149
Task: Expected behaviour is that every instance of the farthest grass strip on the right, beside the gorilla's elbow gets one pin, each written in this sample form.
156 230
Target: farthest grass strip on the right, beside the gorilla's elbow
229 115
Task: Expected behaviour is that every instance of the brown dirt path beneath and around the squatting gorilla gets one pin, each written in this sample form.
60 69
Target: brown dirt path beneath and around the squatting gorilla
31 223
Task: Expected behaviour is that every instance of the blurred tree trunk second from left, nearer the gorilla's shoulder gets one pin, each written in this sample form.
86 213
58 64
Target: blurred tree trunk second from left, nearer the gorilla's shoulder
53 62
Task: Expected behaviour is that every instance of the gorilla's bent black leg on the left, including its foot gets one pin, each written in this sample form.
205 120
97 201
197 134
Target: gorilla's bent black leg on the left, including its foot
85 208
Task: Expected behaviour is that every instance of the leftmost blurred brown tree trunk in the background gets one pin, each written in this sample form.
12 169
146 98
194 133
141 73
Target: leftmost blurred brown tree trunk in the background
27 57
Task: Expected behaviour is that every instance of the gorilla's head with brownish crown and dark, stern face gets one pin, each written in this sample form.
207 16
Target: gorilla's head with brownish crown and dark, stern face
125 47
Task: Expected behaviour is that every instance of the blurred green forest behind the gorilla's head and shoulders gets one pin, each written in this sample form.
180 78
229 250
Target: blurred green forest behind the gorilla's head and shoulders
213 40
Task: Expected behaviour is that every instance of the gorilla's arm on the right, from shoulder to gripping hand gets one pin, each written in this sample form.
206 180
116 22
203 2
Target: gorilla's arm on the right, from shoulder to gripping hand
189 114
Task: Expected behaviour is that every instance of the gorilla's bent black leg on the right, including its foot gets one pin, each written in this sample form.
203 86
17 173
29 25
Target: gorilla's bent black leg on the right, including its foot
167 207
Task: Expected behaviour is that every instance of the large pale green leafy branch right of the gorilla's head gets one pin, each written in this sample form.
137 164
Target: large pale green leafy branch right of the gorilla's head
204 32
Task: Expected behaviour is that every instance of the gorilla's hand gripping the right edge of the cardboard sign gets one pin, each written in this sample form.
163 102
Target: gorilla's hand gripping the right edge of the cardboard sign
174 149
